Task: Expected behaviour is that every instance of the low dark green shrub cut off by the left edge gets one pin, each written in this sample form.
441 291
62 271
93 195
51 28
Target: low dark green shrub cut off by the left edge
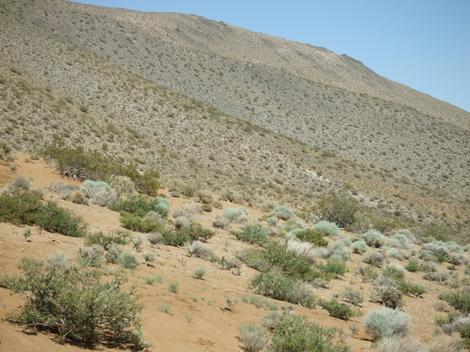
27 208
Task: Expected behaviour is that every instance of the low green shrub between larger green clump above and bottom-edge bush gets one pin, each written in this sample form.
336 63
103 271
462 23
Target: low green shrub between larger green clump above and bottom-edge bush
276 285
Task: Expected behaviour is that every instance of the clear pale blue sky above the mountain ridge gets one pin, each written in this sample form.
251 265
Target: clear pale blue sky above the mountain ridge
424 44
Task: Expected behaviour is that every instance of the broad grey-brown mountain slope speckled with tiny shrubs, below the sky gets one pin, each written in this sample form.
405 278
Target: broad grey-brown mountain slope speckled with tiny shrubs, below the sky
313 124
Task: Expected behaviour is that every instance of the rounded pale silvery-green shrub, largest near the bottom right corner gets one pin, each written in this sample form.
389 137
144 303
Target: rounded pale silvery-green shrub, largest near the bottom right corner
387 322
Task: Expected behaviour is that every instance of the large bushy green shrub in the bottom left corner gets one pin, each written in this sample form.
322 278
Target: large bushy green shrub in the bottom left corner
78 306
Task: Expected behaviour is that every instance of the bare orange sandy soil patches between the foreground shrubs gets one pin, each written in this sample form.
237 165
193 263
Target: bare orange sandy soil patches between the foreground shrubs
197 320
